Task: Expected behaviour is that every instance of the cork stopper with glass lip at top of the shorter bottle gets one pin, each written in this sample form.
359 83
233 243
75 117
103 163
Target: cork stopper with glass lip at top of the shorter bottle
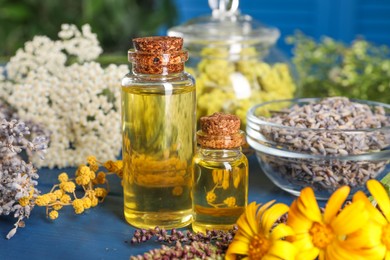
220 131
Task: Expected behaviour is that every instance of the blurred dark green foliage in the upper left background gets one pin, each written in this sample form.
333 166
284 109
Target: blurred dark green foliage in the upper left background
115 22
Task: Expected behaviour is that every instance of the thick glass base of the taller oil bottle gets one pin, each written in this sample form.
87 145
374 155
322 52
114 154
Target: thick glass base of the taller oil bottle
150 220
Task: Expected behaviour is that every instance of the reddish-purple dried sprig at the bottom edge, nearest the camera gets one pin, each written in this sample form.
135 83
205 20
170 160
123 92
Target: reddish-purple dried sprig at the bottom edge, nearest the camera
194 250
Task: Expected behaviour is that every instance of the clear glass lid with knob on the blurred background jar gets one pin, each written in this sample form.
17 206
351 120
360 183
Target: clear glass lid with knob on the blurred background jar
225 26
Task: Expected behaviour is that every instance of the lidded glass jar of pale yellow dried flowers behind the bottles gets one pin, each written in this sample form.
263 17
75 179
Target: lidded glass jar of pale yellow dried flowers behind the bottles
234 60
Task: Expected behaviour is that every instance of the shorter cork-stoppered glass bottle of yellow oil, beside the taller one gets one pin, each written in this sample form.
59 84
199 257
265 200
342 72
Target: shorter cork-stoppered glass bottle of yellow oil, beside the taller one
220 179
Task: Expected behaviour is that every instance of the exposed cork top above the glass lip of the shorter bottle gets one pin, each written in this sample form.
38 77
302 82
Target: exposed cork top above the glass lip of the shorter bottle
220 124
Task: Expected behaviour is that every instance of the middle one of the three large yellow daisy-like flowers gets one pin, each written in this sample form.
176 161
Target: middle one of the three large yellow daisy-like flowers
326 235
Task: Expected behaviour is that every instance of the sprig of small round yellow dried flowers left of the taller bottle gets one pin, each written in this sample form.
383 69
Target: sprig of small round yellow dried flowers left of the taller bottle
93 183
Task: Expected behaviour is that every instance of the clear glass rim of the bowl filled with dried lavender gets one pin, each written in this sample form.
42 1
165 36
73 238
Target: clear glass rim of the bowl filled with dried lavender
252 119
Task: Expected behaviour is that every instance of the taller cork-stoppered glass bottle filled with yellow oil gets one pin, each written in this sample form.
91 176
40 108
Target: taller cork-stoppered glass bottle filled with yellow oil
158 130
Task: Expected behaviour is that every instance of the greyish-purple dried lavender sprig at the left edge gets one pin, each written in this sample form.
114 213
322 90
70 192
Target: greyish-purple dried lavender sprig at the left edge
18 179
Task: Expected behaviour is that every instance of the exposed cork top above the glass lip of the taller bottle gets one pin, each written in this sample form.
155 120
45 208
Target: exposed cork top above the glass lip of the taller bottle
158 44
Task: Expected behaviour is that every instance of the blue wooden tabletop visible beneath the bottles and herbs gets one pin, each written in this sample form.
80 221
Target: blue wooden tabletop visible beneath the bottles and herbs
100 232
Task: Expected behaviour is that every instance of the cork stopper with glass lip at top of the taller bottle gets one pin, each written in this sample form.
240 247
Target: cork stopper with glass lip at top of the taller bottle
158 55
